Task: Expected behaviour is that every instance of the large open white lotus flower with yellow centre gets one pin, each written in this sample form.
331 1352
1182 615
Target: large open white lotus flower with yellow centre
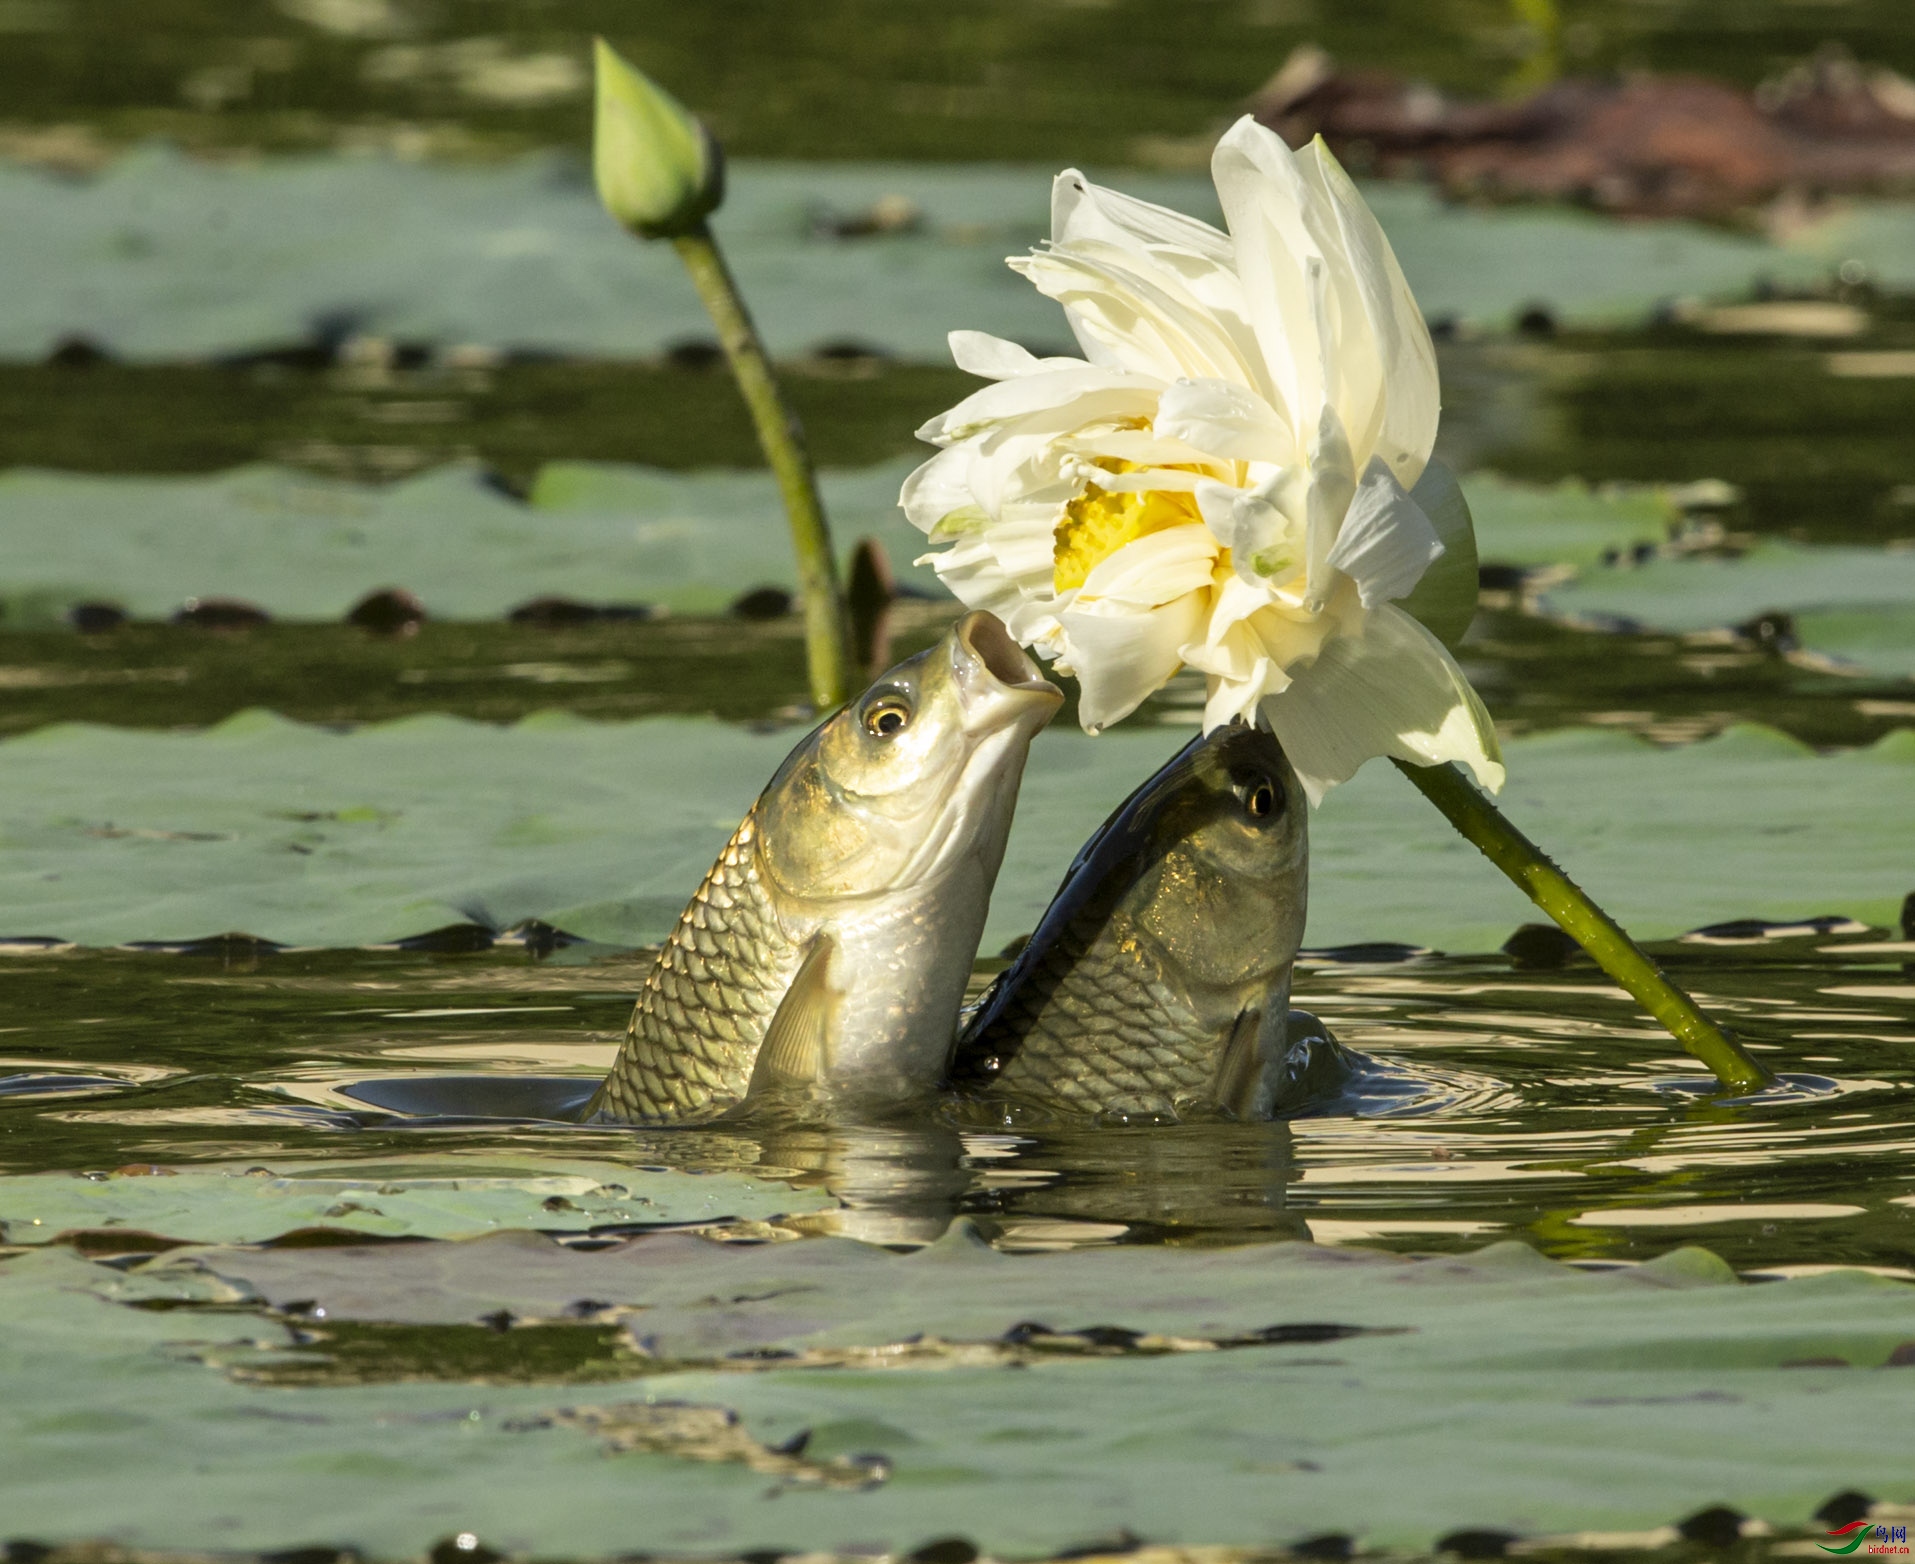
1234 478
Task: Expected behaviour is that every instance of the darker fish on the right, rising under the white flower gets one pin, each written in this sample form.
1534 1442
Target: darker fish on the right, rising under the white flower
1158 985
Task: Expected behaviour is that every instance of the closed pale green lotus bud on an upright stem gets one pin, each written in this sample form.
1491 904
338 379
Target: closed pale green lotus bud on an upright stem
658 169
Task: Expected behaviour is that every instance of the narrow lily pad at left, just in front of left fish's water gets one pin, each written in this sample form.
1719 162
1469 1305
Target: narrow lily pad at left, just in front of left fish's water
422 1199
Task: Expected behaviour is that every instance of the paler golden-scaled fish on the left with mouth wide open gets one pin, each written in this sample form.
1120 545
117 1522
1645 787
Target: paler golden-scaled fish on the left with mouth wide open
828 949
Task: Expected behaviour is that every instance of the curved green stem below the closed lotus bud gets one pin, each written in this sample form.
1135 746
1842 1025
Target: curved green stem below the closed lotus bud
826 635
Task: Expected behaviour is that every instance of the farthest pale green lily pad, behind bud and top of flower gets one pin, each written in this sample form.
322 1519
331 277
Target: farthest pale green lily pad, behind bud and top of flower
146 257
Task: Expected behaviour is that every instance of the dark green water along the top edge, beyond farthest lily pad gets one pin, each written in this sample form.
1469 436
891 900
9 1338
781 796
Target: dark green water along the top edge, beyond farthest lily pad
1062 79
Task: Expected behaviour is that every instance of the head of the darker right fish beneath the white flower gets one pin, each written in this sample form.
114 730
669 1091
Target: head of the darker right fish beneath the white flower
1227 860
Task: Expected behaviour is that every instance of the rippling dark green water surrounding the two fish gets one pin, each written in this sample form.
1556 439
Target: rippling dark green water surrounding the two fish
1537 1106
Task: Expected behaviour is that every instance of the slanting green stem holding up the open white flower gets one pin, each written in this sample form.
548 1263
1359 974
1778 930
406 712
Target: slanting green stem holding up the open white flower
1485 828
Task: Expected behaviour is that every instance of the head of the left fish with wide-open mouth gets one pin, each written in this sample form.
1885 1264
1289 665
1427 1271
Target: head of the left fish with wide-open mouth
914 776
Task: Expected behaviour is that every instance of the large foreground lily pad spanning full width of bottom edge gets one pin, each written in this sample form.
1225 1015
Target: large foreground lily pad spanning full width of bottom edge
1508 1393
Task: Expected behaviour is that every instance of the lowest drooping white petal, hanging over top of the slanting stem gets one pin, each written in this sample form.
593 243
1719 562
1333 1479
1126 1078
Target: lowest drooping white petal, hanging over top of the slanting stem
1387 690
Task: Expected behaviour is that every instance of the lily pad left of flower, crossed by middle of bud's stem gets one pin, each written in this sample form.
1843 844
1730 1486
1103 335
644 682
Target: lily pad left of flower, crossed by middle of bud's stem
311 548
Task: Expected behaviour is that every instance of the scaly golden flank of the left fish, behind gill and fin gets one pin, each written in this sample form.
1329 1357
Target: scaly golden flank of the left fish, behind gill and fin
710 998
